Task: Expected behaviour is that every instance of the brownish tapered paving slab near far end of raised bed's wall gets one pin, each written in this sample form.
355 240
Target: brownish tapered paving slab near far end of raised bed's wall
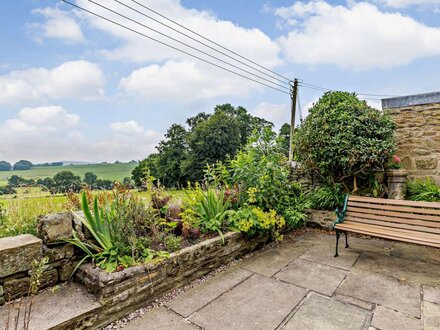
271 261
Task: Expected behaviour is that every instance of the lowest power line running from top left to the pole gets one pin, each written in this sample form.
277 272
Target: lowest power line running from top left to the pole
173 47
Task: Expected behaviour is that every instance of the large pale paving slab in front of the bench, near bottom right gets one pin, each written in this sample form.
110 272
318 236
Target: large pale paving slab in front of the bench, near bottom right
383 290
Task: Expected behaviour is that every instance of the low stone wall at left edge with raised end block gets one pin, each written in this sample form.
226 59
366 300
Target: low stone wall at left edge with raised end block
18 253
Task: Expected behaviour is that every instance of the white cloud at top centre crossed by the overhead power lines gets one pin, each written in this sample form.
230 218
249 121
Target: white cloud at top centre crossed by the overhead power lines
249 42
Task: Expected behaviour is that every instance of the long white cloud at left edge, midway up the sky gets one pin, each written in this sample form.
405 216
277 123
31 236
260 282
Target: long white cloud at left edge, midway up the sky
77 79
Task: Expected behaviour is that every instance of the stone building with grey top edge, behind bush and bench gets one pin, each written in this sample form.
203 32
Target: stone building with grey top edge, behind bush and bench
418 133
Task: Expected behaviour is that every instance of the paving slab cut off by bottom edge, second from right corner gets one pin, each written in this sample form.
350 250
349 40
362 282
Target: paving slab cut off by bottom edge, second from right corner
388 319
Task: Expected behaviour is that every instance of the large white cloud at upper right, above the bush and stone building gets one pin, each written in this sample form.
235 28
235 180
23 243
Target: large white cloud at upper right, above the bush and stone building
359 37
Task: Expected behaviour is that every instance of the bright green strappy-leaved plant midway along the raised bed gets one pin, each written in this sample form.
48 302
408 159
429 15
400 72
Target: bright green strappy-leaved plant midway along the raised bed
213 211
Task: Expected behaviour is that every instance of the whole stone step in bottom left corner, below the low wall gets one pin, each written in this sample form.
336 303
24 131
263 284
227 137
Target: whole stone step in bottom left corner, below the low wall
68 307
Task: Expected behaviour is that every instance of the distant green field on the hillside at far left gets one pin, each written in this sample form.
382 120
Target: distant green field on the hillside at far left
116 172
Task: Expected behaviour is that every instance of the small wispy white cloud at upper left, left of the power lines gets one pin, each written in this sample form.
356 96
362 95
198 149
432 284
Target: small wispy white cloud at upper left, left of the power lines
58 25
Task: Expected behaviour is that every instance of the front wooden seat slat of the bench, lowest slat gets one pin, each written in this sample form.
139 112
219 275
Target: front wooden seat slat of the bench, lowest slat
394 231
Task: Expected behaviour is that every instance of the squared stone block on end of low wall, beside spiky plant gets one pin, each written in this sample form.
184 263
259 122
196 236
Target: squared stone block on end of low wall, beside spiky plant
55 227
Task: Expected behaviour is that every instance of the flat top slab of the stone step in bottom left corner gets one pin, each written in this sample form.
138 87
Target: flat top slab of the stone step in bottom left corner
51 309
